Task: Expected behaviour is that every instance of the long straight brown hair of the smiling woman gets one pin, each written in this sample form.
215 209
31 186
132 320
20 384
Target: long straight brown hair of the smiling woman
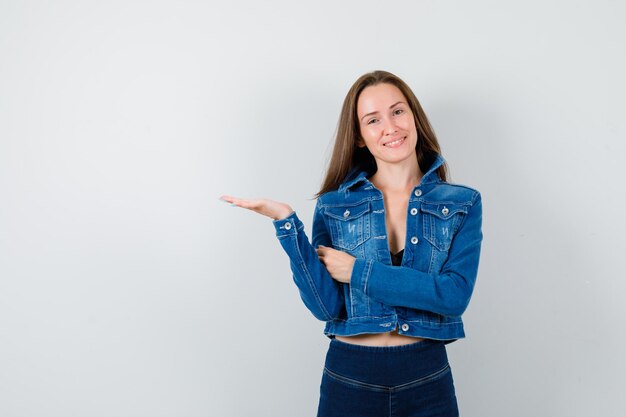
347 155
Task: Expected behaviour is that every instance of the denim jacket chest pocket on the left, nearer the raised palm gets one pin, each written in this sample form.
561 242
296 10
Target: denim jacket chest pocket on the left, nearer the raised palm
349 224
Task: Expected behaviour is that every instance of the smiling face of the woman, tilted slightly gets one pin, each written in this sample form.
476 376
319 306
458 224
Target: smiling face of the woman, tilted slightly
386 123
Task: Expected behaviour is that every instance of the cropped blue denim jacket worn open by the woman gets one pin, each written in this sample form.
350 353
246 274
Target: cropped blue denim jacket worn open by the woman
426 295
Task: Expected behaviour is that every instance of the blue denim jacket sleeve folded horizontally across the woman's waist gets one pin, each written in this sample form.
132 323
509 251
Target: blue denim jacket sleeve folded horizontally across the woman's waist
446 292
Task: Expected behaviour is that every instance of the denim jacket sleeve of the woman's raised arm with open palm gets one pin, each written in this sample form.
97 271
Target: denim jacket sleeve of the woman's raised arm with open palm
321 294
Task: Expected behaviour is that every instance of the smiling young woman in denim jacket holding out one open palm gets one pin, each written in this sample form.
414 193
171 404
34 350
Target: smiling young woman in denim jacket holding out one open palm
393 260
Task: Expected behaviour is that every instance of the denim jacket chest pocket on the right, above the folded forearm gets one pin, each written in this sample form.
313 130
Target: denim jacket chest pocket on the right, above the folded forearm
441 221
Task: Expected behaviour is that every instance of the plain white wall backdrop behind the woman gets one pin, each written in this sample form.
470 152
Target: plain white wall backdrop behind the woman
128 289
